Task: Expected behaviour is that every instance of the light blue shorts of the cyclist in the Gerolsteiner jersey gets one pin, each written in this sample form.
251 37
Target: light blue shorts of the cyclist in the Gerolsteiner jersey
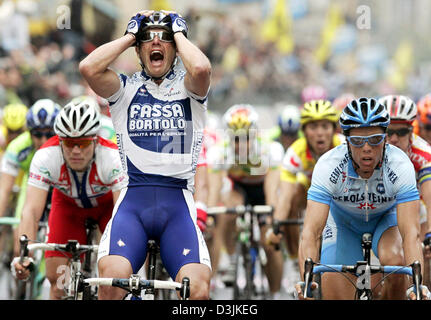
342 236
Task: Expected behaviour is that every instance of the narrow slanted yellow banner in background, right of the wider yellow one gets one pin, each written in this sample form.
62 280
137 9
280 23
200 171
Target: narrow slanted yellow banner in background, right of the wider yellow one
334 19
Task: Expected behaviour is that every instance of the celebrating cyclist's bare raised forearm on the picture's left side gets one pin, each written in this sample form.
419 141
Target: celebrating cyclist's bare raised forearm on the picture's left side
101 58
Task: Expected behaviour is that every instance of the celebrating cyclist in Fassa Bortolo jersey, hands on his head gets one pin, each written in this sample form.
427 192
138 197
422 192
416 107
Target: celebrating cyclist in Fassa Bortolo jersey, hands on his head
159 116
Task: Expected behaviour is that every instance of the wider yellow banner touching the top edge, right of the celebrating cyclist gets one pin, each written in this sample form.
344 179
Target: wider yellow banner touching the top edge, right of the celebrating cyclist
277 28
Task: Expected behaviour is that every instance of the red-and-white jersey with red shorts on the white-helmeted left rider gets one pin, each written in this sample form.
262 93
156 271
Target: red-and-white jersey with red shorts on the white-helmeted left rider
77 195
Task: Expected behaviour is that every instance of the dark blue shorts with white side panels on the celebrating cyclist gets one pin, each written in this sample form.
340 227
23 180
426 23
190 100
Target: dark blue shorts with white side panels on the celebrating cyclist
164 214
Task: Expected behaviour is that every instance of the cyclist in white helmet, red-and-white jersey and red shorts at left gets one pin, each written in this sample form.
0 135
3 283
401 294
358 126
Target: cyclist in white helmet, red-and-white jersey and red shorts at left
85 171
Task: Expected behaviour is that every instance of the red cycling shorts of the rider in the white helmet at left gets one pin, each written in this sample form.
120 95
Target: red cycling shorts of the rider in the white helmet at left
67 221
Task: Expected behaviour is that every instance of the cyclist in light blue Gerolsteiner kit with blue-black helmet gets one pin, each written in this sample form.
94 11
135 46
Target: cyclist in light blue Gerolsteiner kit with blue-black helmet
362 186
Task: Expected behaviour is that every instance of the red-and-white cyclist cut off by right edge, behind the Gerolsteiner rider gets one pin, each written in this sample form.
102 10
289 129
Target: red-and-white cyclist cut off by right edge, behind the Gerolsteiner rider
403 112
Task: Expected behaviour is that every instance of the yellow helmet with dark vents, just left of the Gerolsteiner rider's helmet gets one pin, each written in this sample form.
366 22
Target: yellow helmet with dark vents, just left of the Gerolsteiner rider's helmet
315 110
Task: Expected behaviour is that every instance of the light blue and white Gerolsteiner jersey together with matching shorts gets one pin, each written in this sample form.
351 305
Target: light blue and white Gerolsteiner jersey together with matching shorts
359 205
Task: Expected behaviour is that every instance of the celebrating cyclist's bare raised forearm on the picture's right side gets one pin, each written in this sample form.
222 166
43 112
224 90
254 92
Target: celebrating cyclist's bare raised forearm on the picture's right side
194 60
